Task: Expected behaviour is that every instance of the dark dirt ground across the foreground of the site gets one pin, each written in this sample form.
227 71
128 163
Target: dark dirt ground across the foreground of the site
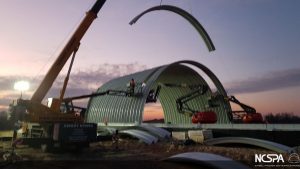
130 154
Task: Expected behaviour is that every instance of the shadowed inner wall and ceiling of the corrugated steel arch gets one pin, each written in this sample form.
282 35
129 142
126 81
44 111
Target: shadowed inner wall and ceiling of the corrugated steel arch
179 74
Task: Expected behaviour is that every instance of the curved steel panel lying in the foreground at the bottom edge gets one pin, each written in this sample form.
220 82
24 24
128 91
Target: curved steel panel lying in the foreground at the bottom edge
207 160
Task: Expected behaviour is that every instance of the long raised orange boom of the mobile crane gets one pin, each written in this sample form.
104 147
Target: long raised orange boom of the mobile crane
69 48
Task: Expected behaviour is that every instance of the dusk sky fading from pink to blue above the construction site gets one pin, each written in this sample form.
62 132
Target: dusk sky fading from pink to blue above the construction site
256 58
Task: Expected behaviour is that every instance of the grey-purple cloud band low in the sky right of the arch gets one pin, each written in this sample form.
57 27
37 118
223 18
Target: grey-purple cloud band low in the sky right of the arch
271 81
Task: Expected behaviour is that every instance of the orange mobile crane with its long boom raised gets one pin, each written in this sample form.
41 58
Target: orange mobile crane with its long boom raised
57 125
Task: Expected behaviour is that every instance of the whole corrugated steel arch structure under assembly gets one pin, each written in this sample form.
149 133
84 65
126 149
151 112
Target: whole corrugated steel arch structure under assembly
121 109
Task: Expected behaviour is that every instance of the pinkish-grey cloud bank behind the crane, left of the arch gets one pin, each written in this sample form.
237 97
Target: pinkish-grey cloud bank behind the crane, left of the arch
80 82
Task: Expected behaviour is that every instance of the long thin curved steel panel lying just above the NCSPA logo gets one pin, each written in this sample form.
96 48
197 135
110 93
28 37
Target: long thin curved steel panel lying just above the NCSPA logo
279 148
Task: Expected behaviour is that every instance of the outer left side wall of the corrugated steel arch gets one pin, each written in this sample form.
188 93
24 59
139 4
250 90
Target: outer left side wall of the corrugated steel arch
118 109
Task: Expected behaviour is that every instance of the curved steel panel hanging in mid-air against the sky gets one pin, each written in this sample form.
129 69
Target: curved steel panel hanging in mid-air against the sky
185 15
